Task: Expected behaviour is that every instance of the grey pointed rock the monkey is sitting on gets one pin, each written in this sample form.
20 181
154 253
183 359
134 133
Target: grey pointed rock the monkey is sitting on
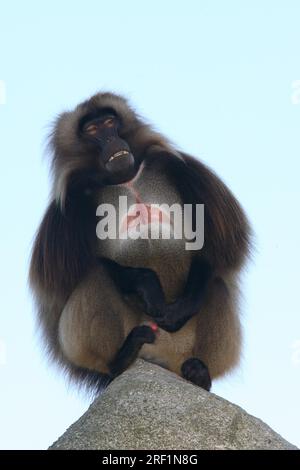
148 407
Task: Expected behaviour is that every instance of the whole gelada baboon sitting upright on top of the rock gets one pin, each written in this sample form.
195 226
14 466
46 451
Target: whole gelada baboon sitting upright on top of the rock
103 302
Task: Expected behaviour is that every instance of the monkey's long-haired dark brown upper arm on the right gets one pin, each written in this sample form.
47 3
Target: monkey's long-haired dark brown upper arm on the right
226 229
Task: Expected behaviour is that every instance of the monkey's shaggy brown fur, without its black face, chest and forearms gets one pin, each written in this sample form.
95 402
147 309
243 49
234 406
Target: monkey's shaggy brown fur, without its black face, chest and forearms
83 317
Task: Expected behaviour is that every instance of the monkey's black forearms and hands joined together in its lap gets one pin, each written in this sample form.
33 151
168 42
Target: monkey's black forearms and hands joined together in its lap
144 282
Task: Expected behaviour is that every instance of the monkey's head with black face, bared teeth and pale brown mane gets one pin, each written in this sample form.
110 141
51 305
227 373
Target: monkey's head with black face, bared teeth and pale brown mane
102 142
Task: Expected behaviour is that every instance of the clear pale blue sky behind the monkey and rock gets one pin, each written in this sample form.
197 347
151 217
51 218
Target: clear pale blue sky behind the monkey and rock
214 76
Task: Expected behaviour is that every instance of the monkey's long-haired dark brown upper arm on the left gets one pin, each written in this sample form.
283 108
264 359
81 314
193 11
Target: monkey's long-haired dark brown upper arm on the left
61 252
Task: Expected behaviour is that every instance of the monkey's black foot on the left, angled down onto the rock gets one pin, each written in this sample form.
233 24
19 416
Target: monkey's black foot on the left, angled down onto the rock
130 348
